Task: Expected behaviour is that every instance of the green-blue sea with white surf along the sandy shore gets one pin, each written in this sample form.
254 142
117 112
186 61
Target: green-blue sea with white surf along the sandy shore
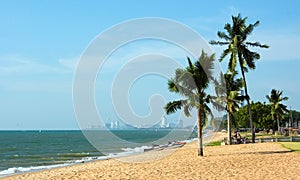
24 151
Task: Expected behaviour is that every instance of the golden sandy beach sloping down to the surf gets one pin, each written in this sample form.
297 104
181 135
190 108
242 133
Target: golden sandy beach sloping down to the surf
245 161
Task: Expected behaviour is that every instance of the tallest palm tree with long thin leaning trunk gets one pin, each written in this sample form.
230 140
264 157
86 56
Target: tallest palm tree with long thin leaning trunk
236 39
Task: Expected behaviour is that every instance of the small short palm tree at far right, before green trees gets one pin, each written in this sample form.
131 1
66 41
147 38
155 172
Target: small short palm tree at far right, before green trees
277 109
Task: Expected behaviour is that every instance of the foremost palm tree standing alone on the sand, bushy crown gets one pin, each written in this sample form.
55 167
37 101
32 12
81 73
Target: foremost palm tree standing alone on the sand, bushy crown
191 84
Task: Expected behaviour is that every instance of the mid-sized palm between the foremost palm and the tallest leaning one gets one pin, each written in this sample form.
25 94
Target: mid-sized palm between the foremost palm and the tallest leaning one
228 96
